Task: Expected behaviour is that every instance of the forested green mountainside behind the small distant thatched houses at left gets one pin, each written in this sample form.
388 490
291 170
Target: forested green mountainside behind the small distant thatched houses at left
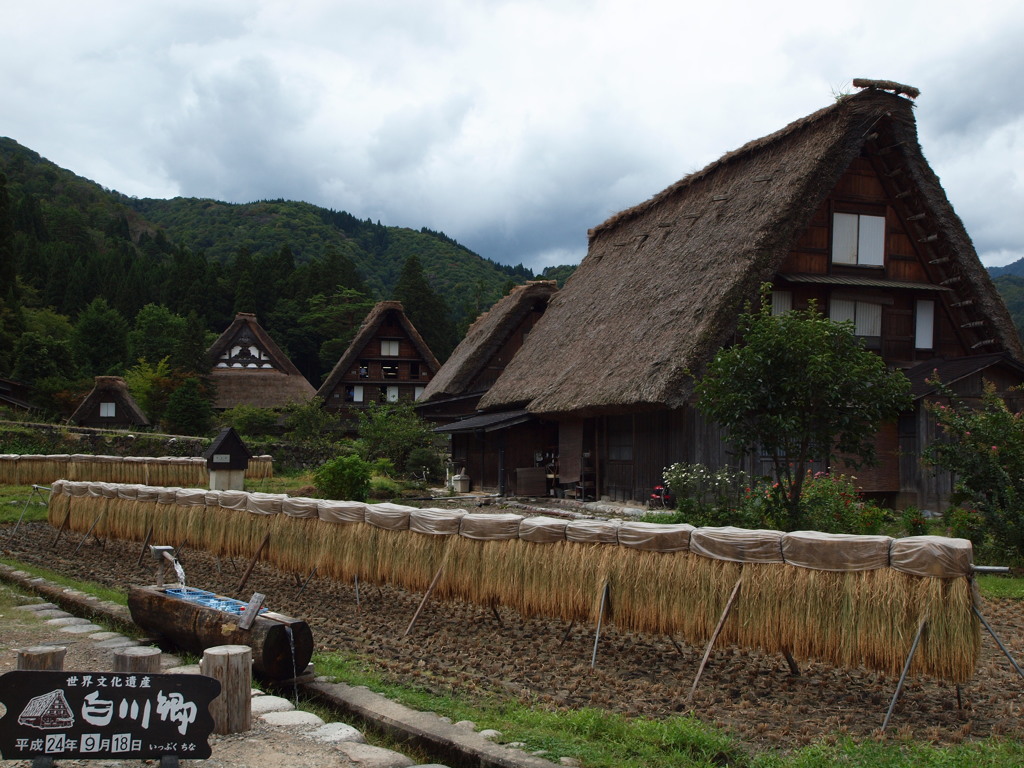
94 282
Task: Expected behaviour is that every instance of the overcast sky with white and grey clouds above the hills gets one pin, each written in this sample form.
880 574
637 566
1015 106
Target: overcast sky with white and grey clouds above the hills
514 126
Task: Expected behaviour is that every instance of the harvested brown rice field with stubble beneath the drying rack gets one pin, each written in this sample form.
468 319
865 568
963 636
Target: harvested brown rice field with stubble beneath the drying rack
487 654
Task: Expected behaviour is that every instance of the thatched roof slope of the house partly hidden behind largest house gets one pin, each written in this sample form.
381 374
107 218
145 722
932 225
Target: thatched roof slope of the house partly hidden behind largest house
485 338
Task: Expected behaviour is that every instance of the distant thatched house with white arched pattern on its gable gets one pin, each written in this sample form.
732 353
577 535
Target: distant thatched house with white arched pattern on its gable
250 369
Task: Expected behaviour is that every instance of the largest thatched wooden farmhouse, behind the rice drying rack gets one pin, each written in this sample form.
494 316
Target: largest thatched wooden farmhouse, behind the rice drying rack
840 207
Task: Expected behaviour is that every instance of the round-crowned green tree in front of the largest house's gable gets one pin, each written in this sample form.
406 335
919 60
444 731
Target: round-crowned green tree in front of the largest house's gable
800 388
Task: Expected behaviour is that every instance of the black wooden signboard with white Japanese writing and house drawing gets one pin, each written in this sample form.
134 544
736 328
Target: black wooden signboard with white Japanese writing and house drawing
106 715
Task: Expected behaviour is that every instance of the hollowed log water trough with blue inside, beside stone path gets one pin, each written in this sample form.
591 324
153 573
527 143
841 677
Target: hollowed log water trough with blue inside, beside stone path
282 646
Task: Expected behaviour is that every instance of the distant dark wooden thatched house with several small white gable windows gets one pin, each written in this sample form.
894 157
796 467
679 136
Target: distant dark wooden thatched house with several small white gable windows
388 362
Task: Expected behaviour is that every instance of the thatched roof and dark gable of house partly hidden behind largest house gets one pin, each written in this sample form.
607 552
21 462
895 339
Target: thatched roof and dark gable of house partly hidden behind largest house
491 344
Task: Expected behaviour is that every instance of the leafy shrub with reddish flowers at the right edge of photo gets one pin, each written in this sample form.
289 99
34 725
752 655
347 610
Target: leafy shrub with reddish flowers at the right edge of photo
985 450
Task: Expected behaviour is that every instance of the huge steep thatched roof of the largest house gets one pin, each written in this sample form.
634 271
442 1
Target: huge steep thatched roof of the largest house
663 283
